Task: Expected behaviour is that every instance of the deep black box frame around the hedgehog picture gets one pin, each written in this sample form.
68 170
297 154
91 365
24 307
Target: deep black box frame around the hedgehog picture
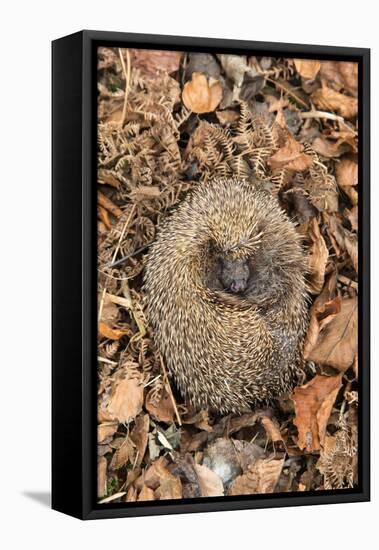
74 329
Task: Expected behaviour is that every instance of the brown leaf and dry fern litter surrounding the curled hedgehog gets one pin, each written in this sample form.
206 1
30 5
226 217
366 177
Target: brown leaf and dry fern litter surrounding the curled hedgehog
169 121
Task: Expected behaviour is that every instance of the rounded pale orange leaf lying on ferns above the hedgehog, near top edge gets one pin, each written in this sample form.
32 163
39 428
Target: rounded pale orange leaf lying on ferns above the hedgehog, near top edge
201 95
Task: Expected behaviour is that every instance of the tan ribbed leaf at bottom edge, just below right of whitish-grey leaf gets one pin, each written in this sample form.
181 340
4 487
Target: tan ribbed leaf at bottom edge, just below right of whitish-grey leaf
262 477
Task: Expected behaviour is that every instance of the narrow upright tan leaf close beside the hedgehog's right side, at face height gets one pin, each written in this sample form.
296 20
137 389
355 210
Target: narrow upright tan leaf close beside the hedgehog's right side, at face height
318 258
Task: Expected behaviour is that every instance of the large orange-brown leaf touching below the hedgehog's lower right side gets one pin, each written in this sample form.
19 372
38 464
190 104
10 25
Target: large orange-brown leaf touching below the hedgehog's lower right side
313 405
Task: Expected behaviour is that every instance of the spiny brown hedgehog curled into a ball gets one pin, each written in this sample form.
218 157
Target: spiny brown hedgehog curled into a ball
225 295
